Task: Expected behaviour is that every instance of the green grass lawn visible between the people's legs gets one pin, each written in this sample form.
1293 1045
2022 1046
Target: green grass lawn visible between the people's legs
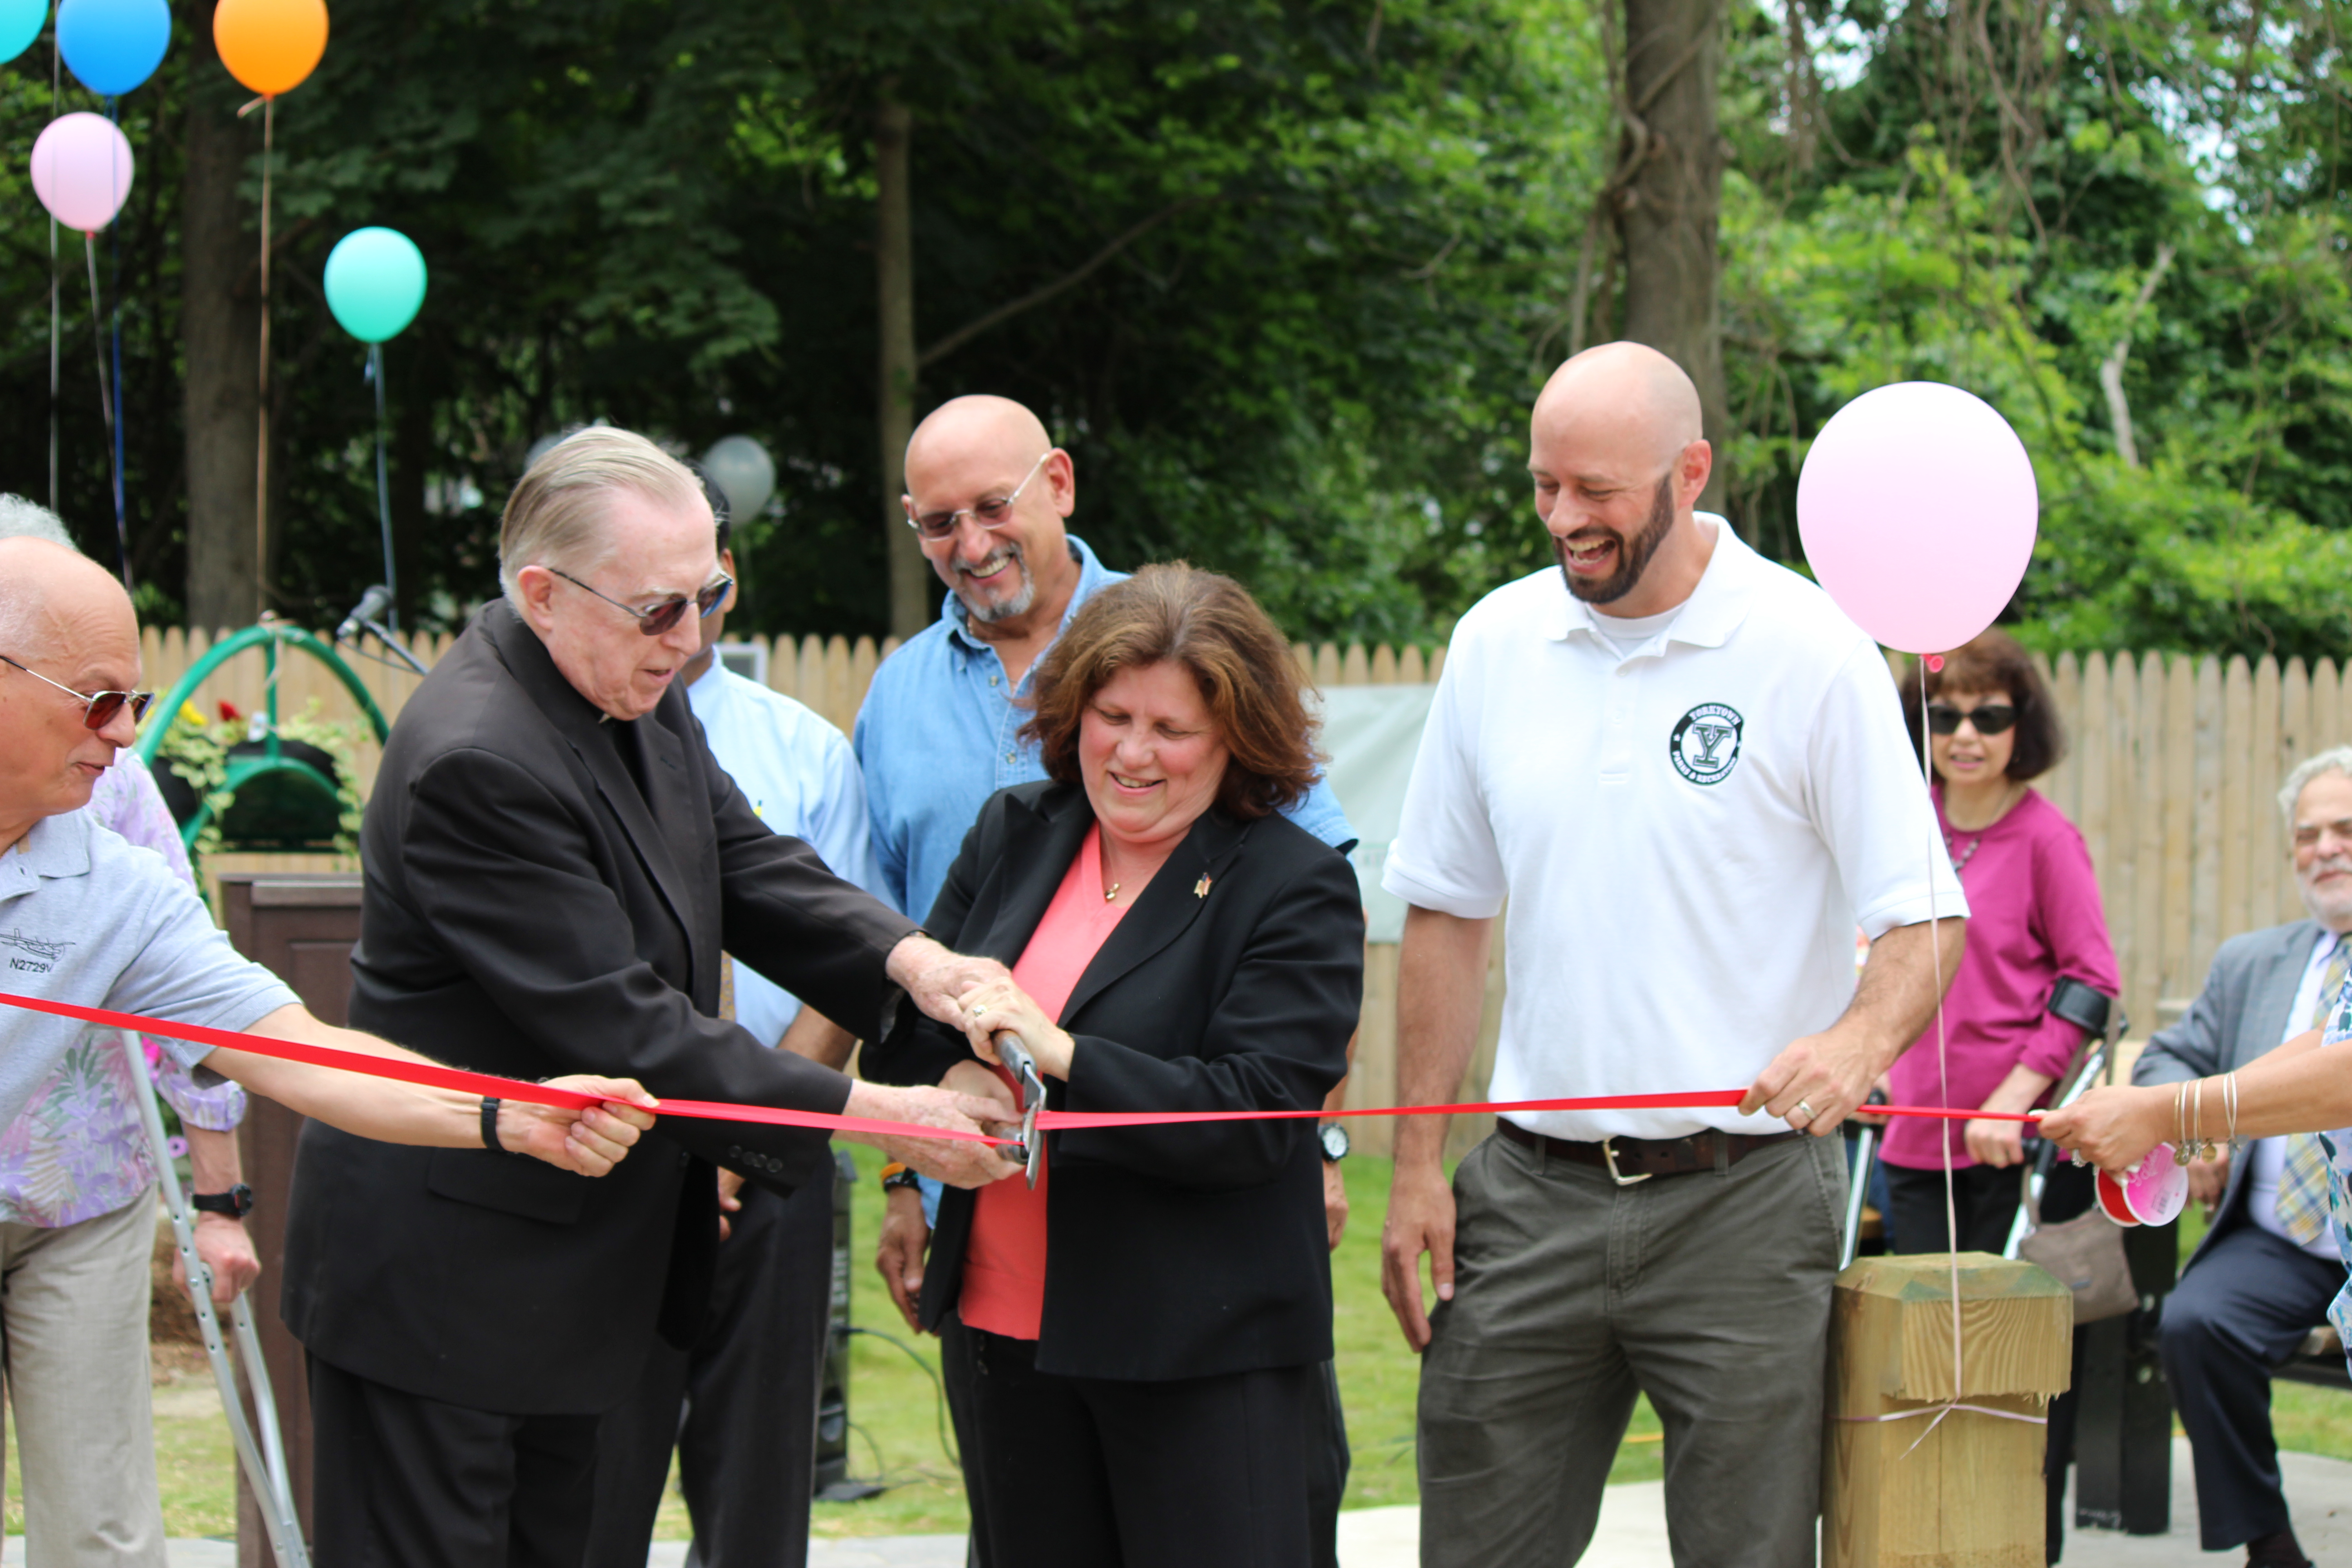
895 1409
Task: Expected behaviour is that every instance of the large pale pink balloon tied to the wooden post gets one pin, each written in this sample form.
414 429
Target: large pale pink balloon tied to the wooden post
1918 514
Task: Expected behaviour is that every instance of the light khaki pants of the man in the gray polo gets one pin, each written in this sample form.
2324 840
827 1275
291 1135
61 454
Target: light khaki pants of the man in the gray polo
74 1348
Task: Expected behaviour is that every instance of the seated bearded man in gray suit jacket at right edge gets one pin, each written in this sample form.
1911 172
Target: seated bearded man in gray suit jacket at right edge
2266 1268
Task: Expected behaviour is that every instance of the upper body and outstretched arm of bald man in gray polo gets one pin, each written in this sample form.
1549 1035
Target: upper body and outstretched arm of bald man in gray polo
93 923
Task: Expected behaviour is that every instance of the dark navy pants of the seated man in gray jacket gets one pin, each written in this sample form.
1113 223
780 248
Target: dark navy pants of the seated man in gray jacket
2236 1315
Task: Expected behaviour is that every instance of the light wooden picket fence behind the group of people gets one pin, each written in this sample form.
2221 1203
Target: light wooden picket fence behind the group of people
2172 777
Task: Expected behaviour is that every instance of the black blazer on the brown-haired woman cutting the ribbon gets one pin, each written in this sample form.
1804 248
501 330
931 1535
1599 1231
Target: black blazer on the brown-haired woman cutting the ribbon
1177 1252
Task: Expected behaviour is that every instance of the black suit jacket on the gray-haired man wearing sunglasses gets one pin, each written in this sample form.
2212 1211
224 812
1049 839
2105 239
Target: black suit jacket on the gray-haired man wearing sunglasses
533 911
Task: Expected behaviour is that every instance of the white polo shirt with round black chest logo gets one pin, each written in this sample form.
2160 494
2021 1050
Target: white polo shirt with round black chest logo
1688 833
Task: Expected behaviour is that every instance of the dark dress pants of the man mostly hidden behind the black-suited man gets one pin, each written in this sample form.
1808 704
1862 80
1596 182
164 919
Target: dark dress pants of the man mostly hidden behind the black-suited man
740 1407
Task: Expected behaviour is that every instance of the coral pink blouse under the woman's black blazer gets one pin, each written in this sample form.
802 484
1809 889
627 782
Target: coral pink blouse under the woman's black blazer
1005 1259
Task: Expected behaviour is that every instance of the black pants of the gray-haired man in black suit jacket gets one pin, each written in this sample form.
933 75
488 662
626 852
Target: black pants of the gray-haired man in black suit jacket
408 1482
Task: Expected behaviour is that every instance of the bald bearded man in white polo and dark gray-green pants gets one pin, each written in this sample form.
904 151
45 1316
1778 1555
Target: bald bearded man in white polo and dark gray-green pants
1688 775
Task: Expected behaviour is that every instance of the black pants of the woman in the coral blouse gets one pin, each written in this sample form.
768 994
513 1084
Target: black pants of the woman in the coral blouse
1097 1473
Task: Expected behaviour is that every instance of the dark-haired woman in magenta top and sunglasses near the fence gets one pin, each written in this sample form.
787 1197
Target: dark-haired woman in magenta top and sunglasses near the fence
2033 918
